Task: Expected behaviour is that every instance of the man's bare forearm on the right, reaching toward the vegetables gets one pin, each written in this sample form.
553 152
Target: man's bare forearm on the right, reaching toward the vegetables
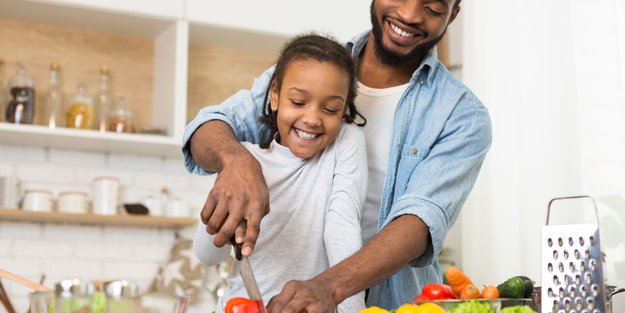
398 243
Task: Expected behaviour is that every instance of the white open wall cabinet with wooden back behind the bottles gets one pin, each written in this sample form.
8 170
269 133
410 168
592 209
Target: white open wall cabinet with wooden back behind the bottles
147 44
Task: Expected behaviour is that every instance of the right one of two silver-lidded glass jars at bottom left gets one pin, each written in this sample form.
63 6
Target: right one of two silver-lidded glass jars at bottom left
122 296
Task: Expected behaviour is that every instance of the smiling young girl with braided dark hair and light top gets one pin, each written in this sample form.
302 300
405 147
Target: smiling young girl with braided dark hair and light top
314 163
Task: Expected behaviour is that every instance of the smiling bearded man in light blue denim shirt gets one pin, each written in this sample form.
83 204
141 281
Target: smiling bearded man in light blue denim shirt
427 136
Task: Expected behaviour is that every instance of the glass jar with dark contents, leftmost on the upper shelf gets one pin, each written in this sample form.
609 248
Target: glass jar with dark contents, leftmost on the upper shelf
21 105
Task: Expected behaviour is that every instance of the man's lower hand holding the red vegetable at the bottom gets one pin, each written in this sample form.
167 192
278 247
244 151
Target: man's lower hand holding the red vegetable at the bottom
303 296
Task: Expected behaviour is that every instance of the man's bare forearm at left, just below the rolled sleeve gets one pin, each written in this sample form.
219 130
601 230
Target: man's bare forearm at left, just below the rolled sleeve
212 143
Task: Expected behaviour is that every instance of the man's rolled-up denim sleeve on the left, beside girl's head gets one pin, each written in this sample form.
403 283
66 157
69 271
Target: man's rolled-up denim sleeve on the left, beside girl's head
241 112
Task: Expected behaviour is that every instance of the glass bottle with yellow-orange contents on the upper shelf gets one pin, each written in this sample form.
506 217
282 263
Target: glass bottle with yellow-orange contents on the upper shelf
80 112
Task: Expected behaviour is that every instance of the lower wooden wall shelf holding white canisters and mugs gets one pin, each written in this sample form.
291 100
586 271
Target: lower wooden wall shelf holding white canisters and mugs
94 219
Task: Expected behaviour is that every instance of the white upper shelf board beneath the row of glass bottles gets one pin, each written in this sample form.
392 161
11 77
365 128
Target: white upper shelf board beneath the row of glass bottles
65 138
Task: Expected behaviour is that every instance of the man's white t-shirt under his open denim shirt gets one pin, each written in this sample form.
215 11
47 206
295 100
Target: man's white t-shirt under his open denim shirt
378 107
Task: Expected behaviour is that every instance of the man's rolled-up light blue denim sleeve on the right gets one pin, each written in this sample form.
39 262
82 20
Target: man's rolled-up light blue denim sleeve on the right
440 183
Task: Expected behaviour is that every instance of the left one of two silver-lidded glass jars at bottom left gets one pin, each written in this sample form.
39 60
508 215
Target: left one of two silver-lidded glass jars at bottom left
73 295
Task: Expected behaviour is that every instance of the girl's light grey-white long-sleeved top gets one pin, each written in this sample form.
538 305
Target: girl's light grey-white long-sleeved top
314 218
